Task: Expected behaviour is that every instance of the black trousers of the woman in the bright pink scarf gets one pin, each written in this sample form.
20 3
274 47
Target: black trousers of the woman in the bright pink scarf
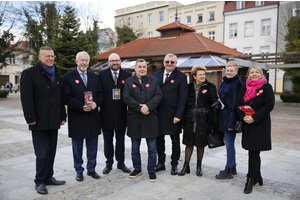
254 164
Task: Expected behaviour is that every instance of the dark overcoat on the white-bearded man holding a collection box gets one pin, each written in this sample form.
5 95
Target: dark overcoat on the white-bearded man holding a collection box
82 124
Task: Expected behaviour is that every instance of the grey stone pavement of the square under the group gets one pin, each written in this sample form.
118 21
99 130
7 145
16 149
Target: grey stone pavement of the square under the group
280 167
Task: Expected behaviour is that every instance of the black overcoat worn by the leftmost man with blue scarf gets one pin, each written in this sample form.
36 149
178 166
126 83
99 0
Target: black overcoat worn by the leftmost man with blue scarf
41 99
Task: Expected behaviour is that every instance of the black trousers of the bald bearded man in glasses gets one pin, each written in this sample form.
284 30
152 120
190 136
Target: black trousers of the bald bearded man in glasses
108 135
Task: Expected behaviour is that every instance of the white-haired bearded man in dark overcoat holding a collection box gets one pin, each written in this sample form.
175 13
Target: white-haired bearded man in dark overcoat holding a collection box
83 95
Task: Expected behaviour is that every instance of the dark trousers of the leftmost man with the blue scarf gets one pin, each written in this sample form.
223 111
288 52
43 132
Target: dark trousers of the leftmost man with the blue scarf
44 143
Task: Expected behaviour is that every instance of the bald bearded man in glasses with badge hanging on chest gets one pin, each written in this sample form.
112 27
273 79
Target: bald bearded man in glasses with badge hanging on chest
113 112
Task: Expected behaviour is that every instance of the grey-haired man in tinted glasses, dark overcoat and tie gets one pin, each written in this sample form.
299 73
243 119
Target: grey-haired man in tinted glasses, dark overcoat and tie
173 84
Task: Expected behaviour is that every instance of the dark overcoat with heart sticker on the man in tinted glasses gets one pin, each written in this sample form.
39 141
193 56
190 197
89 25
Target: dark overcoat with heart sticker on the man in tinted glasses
175 91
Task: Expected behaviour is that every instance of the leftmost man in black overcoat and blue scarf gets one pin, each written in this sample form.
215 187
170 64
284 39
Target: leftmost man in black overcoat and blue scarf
44 112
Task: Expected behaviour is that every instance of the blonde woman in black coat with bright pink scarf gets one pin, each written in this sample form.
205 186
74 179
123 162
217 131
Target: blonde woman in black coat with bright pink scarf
257 127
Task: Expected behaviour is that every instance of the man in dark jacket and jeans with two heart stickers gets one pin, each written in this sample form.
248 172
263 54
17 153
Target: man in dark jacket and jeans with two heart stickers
142 95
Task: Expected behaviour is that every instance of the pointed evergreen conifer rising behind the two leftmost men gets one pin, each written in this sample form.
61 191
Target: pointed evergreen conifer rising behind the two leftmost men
69 41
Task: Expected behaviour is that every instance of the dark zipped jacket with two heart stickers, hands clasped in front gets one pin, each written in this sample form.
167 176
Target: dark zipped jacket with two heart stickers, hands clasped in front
136 93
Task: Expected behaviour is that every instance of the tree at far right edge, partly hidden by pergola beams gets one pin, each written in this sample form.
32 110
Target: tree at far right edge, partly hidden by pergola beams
293 44
